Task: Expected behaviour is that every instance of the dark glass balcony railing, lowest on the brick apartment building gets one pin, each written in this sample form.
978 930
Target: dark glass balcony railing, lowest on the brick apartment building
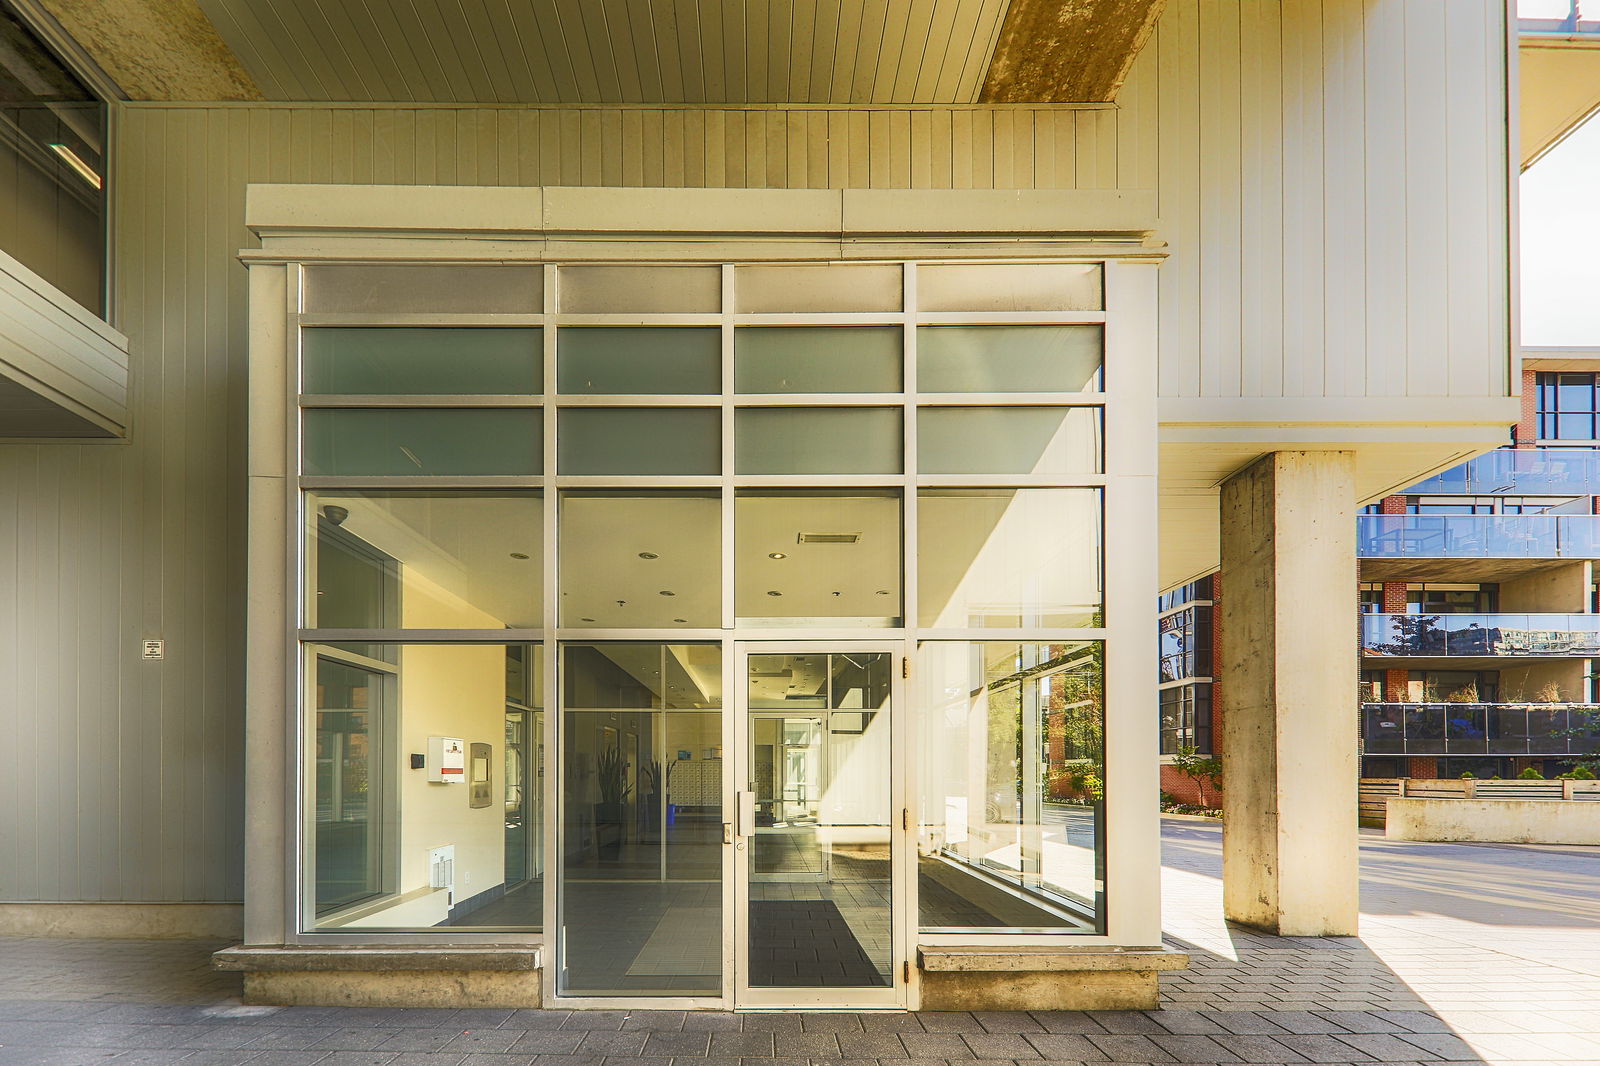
1481 729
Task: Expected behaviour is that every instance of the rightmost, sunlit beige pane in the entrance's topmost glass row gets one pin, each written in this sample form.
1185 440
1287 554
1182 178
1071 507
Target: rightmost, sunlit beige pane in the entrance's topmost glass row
1010 287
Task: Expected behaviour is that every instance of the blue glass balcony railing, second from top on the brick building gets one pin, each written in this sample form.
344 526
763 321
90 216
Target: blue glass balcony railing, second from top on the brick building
1478 537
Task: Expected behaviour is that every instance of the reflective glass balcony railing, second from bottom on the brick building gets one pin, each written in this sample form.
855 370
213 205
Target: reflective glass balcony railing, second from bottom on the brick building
1574 636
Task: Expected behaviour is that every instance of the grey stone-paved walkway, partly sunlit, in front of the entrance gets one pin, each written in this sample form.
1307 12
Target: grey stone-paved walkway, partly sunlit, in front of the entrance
1481 955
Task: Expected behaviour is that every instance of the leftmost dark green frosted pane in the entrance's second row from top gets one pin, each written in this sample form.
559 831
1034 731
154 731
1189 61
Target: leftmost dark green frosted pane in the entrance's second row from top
422 363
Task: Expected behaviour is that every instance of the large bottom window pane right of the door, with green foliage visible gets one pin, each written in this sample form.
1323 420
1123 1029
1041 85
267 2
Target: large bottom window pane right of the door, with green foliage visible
1012 767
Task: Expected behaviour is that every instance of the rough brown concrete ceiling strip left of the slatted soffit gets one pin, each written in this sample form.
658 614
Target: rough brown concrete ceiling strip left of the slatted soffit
156 49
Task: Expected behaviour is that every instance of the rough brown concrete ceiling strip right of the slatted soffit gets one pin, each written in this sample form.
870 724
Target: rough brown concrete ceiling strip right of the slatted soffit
1068 52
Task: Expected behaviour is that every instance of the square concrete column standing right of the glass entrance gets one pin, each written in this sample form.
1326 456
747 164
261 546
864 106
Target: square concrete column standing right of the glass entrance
1290 719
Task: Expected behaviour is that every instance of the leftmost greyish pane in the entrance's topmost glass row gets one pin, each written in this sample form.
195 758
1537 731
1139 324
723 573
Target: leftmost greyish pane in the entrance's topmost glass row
426 289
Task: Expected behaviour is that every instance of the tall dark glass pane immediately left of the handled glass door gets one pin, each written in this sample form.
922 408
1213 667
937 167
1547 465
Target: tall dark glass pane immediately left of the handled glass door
642 820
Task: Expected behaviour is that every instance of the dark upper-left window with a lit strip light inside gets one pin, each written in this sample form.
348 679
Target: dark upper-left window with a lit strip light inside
52 169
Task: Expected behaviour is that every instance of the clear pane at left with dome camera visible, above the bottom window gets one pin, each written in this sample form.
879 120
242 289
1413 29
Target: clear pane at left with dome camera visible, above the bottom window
455 559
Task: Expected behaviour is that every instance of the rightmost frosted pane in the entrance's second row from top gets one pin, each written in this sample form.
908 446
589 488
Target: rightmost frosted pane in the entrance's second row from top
1010 359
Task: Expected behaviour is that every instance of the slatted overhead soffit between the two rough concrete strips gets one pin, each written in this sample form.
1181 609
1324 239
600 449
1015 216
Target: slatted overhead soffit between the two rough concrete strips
590 52
